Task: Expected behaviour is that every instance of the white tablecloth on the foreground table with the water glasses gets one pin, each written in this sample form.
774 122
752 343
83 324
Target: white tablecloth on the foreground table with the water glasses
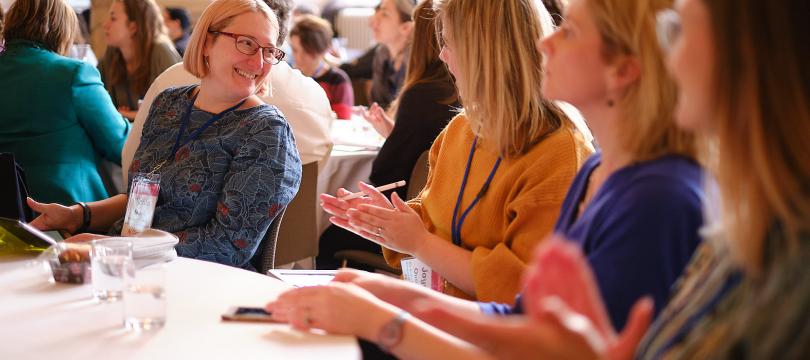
39 320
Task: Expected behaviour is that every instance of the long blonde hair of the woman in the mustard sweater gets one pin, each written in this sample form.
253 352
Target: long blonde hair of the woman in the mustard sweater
501 71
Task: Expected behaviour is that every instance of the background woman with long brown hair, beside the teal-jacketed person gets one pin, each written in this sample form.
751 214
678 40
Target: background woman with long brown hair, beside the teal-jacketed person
138 50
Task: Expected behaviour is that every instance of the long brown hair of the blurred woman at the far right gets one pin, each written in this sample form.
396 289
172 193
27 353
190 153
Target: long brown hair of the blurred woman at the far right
761 92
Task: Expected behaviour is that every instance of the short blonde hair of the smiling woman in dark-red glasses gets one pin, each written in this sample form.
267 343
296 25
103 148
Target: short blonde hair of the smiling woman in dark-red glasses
216 17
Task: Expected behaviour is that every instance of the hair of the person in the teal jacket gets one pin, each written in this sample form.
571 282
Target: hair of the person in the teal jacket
51 23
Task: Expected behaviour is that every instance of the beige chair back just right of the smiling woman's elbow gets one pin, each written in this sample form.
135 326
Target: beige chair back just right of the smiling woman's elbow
298 235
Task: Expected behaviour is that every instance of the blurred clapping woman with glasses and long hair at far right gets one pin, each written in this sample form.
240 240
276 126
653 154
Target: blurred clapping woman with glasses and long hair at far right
744 85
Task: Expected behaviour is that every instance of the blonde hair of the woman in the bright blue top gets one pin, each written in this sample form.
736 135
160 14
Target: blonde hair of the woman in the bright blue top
648 105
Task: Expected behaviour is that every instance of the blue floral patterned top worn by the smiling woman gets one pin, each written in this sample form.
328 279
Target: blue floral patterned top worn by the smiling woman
221 191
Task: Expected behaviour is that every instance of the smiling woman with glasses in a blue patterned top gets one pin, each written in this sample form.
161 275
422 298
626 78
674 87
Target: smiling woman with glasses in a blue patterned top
227 161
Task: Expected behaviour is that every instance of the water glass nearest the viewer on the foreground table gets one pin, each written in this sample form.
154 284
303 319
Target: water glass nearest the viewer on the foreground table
145 298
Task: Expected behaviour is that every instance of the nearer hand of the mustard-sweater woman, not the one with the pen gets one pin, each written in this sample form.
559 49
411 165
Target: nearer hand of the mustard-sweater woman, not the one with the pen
399 229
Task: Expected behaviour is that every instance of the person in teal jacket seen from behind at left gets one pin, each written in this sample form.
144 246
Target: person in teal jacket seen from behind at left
55 115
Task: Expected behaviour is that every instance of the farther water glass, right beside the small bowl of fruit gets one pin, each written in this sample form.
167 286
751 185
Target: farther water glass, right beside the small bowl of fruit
109 260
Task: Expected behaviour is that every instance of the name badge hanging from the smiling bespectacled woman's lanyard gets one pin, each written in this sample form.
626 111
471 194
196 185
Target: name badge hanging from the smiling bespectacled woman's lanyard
141 204
